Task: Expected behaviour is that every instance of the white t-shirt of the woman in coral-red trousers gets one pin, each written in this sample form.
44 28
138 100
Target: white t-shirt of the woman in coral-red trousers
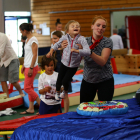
28 52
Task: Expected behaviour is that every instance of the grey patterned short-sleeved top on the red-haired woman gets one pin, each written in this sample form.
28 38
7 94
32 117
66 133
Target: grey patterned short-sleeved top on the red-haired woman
94 73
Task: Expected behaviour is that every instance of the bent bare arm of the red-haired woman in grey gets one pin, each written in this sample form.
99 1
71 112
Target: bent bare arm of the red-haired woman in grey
101 60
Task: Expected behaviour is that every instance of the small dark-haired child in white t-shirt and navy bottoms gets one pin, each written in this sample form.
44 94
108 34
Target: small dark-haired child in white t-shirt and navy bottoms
47 87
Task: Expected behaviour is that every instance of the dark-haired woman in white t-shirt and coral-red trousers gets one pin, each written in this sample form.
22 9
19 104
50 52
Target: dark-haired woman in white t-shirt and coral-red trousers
30 66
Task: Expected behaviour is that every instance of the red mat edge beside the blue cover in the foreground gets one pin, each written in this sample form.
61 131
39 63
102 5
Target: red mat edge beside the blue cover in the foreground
13 124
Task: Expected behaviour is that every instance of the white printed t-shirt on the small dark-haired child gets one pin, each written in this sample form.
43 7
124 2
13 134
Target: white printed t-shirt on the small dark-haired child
48 80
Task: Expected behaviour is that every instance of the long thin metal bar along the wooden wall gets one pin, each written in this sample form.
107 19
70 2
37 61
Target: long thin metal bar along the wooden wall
85 10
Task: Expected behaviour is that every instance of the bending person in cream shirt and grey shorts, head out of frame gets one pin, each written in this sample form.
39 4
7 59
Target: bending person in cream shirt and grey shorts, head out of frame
9 65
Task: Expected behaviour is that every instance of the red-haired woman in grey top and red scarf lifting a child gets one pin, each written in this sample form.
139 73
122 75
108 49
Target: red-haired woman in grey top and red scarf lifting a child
98 75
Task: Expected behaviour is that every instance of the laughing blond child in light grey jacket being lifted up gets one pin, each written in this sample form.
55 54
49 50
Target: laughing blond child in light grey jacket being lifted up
71 57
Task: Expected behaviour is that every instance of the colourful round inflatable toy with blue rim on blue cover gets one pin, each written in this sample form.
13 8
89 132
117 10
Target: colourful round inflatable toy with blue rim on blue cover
96 108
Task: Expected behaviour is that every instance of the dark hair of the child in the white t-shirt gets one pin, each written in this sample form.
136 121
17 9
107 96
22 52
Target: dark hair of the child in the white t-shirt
46 61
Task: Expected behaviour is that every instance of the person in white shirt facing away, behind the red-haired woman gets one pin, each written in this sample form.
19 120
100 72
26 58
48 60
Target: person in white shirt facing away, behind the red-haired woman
117 40
